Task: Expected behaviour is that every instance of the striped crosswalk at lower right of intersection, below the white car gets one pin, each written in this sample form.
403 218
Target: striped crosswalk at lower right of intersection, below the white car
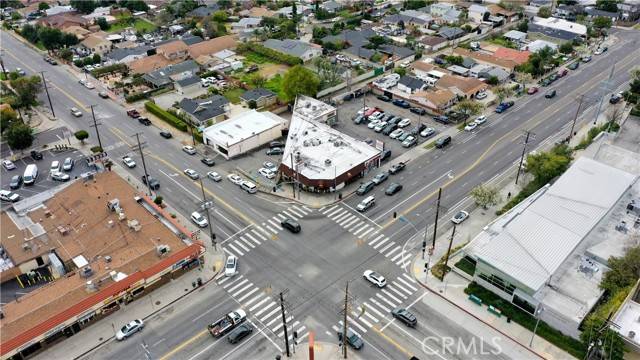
378 308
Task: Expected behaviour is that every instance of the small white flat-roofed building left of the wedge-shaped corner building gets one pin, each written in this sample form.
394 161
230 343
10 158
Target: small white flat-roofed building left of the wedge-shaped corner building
244 132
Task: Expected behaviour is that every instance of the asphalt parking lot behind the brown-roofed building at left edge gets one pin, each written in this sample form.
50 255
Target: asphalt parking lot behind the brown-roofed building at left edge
44 181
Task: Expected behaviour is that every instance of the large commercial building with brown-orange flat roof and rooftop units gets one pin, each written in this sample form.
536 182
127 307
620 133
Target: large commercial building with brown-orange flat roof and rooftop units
105 245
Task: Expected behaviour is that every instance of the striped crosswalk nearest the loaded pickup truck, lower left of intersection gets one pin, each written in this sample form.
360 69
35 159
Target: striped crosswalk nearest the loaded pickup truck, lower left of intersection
262 307
